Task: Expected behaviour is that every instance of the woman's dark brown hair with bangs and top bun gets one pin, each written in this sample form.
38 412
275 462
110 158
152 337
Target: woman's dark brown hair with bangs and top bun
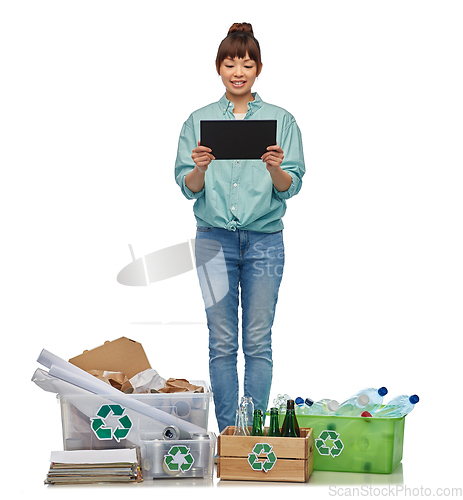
239 42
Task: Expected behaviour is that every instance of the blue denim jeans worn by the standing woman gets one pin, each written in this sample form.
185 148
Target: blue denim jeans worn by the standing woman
253 262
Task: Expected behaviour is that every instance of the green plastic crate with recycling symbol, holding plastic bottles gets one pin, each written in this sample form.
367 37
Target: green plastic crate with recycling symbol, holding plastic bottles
355 444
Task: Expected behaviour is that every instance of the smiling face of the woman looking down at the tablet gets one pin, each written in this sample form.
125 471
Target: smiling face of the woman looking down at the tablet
238 75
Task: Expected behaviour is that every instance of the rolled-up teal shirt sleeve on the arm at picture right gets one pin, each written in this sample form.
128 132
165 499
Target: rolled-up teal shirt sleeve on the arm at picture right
293 162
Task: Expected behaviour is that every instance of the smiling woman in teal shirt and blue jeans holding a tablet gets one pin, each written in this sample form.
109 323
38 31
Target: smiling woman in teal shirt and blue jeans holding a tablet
239 204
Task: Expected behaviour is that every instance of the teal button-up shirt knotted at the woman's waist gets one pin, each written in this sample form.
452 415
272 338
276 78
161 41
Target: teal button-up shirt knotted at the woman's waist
239 194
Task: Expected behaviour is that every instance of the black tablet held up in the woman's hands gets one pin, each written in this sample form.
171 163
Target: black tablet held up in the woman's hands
238 139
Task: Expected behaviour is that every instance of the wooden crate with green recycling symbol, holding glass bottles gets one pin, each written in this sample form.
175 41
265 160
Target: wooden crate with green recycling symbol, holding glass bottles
241 457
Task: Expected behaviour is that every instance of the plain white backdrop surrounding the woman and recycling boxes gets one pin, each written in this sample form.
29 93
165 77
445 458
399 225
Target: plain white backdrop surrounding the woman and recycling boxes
93 97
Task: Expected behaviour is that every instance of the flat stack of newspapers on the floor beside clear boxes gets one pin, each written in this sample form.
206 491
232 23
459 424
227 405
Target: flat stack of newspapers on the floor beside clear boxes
94 466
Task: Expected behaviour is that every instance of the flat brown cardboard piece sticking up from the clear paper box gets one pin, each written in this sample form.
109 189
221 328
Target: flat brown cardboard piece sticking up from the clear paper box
121 355
